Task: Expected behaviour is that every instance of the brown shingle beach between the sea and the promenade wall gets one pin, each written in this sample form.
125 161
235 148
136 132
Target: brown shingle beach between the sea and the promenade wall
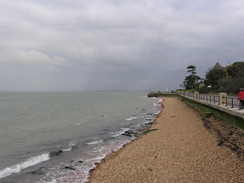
180 150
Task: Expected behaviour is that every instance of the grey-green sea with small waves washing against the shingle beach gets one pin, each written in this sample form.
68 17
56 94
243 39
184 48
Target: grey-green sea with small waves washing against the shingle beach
55 137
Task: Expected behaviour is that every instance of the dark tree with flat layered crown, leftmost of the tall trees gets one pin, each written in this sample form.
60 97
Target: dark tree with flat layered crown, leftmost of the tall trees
191 80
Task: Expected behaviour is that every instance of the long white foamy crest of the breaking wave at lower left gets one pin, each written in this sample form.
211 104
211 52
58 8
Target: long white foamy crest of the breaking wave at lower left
23 165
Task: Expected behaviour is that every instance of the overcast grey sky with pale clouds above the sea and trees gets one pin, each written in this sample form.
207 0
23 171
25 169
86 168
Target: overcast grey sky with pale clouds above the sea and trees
115 44
